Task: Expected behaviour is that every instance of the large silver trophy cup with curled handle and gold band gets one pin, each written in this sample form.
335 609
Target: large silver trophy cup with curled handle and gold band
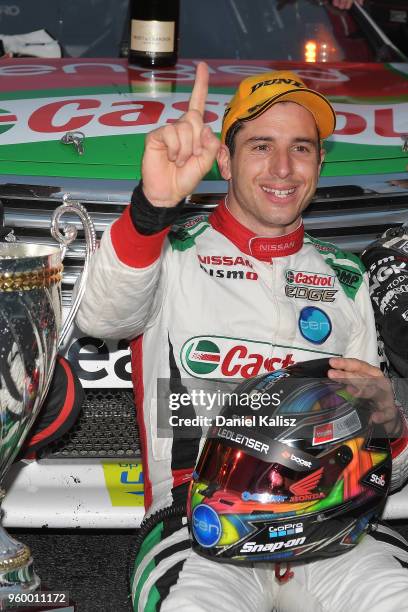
30 335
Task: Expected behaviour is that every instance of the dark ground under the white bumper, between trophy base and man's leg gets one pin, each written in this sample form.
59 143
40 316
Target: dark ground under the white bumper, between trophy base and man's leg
92 565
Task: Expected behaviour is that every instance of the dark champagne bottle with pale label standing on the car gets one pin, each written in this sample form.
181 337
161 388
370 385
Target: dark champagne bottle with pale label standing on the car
154 32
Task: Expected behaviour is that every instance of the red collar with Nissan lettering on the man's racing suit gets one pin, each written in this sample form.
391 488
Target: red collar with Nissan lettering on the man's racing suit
263 248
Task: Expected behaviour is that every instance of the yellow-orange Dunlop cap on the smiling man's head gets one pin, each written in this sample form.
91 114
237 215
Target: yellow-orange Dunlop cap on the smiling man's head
257 93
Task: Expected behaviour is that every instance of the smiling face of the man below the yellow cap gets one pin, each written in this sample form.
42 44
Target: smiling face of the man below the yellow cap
274 170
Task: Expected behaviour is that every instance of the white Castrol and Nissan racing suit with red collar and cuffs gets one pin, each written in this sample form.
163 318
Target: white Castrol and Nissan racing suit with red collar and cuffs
210 300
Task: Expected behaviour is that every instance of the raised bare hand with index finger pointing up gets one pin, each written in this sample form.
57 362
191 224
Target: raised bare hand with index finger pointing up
178 156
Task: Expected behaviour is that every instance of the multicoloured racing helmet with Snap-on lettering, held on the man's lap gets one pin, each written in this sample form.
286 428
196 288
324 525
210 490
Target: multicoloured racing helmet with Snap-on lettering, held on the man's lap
292 470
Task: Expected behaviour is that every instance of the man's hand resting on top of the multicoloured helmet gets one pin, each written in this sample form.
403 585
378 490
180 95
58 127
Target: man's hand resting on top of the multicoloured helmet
369 382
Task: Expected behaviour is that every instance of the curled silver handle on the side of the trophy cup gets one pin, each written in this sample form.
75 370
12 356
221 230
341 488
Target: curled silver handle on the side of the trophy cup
65 238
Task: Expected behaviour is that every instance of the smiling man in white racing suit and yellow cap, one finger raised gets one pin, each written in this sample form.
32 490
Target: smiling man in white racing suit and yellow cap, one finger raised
229 296
